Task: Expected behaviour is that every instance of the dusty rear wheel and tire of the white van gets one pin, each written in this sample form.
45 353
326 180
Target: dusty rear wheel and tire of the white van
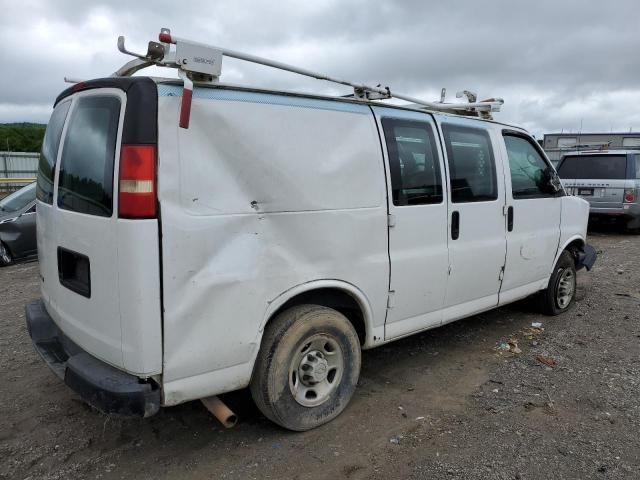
286 345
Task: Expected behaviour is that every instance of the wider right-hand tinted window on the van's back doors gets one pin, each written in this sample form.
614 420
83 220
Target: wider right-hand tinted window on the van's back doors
86 168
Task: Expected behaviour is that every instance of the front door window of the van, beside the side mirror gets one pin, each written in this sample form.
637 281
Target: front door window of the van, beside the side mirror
527 168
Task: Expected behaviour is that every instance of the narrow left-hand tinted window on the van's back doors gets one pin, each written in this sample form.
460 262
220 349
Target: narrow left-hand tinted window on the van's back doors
49 153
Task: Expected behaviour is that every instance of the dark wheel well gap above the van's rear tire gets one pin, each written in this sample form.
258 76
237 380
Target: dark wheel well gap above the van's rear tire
332 298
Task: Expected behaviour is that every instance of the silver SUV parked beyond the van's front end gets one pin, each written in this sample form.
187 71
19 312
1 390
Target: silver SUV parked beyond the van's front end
608 180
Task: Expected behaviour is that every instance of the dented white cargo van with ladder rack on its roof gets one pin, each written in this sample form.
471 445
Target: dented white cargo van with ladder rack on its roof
260 238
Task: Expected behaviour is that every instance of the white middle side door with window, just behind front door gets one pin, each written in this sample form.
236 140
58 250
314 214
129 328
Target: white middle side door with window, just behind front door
477 243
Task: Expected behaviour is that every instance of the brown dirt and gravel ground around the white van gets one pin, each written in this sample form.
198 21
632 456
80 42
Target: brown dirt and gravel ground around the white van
443 404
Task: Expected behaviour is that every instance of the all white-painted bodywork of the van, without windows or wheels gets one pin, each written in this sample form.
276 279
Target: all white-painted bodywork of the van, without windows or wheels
270 195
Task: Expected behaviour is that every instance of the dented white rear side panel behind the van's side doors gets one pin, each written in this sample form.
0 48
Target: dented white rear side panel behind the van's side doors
261 194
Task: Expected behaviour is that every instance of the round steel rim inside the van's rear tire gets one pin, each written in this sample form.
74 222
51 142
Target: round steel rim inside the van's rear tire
316 370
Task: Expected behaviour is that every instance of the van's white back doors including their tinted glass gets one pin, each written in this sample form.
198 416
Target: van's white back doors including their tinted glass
99 272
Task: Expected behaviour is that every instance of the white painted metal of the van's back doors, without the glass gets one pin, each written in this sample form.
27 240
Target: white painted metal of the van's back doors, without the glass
119 324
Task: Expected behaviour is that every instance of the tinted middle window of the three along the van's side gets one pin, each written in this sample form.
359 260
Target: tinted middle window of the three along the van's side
472 167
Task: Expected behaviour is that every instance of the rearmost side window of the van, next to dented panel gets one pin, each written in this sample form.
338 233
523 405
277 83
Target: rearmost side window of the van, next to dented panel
414 163
